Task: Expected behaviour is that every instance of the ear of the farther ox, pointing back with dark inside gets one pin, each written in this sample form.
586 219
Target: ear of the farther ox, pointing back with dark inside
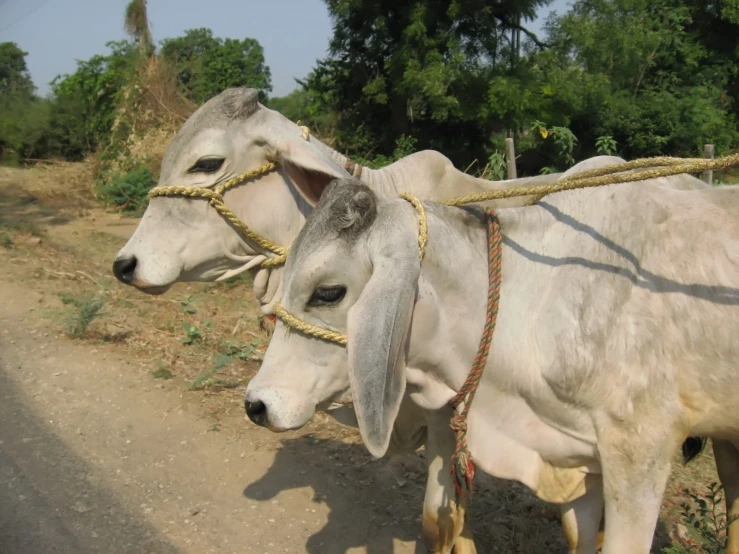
308 164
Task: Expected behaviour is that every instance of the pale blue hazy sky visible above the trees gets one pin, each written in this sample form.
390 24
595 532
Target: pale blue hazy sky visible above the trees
294 33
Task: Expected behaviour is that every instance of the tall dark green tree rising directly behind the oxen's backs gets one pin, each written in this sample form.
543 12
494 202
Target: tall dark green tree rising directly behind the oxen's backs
417 67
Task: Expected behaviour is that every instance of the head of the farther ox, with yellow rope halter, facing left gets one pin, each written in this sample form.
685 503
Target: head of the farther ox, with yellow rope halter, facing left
186 239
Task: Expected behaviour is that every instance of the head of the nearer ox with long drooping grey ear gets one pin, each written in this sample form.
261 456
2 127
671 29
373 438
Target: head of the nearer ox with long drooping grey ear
351 271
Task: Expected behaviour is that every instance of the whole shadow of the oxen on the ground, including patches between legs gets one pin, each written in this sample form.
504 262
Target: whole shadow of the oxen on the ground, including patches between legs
375 503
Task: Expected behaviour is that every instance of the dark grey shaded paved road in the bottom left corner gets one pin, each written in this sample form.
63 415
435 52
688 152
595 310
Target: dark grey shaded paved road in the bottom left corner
49 501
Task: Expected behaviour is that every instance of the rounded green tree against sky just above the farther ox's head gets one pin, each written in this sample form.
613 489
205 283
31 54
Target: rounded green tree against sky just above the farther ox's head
207 65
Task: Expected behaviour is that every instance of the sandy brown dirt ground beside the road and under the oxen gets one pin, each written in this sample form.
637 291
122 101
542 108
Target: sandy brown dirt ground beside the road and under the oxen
148 393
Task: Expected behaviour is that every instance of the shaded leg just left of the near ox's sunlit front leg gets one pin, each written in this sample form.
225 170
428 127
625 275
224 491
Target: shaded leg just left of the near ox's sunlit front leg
581 518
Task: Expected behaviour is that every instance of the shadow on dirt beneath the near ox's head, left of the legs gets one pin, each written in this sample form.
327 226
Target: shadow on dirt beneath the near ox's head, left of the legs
372 503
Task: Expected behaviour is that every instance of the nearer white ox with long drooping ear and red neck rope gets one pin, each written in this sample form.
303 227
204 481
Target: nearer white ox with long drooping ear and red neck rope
616 338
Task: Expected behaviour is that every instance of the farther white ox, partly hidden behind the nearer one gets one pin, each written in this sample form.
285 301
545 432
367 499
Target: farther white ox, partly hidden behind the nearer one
186 240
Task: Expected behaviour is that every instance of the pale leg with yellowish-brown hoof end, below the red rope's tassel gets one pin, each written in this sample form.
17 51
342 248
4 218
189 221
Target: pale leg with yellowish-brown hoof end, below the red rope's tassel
445 530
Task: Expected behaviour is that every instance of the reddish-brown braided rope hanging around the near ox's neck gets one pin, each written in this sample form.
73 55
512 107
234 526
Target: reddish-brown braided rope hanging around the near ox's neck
463 468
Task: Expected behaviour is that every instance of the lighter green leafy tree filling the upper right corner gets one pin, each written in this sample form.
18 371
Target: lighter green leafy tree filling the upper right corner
665 77
